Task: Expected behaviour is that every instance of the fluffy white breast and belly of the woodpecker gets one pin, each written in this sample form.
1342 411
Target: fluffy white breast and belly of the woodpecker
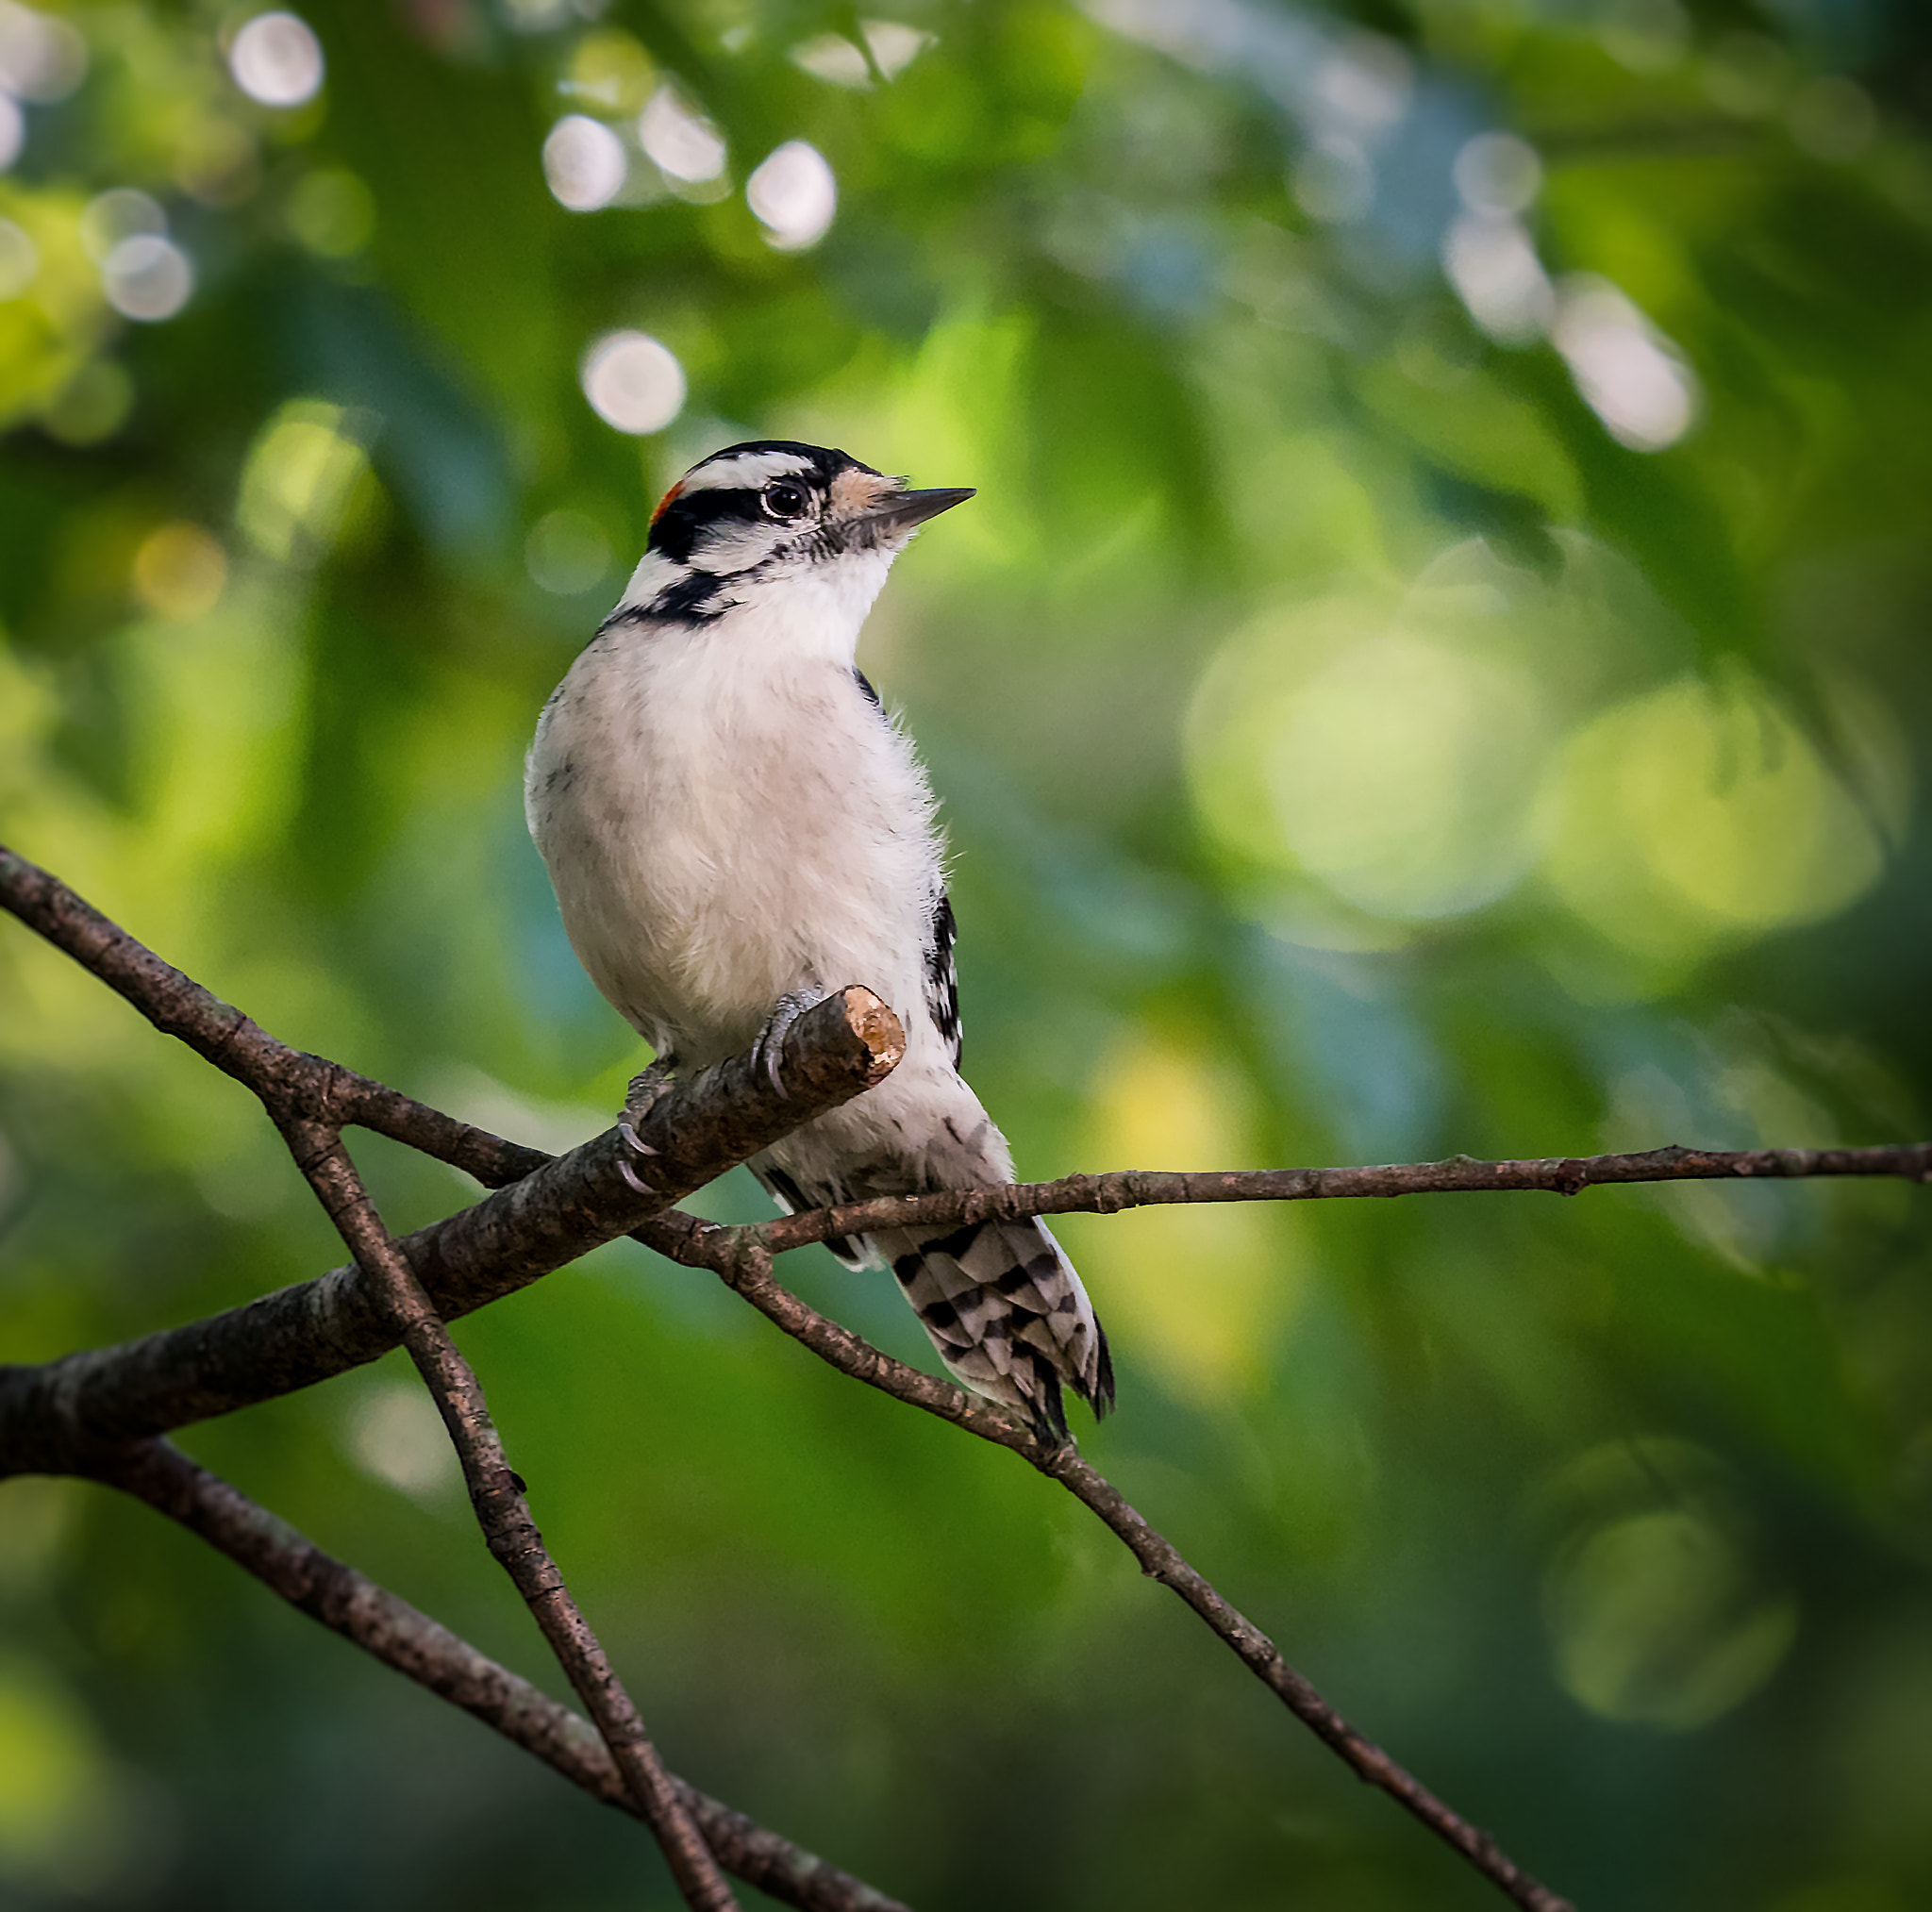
729 820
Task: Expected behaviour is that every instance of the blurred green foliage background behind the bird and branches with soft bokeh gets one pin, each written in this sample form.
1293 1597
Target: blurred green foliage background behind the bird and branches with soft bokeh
1351 752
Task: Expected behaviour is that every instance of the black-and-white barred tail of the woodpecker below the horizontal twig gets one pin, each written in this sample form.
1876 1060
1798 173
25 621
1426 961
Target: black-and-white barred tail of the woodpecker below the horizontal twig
1008 1314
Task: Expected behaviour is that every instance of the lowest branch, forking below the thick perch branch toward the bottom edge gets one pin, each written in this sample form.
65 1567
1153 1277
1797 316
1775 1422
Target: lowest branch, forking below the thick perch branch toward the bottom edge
416 1646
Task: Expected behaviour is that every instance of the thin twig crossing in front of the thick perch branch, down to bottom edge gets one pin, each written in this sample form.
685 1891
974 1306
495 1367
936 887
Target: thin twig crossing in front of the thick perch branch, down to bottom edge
503 1511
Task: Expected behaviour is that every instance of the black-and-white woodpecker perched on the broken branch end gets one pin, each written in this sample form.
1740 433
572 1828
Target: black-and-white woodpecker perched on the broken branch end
735 828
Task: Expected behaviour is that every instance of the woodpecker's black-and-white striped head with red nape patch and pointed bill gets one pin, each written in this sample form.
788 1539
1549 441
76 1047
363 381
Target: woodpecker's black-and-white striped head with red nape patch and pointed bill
774 524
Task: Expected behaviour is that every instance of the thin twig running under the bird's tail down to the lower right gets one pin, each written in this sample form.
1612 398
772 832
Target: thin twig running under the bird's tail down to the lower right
747 1268
